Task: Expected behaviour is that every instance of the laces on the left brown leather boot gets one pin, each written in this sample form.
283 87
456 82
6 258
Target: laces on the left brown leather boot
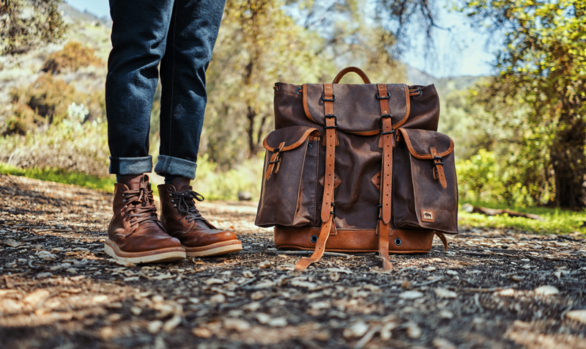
140 206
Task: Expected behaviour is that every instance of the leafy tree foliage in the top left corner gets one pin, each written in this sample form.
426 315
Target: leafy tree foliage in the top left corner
25 24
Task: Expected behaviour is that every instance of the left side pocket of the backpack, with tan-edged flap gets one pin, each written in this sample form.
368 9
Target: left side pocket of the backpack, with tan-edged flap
289 186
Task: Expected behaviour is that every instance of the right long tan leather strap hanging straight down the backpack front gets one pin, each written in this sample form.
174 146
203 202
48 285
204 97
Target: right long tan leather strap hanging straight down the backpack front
386 182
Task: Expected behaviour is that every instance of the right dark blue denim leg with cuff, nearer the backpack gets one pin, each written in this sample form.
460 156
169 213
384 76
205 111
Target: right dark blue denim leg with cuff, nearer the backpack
192 35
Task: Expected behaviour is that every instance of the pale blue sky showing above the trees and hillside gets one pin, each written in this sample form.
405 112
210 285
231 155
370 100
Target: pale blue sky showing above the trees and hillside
458 51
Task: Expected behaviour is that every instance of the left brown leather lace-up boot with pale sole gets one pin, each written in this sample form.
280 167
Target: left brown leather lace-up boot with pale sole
135 234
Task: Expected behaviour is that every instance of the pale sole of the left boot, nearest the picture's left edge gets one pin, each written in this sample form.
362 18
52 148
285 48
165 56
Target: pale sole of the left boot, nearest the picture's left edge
169 254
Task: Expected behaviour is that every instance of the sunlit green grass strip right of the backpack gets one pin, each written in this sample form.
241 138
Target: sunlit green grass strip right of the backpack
555 220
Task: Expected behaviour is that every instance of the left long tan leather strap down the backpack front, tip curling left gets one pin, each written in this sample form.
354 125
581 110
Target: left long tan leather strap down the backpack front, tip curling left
327 208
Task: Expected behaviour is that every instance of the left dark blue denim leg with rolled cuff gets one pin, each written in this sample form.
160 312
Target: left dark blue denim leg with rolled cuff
139 38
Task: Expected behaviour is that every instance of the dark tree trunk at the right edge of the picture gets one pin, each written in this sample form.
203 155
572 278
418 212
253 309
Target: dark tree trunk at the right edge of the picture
569 163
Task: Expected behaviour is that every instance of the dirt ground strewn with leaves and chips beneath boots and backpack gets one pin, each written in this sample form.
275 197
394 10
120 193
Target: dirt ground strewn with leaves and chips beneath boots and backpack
59 290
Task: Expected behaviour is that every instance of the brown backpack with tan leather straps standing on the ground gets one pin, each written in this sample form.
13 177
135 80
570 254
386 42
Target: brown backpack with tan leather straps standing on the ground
358 168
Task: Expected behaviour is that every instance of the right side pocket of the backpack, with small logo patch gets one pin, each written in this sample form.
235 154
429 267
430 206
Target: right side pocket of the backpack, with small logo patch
427 197
